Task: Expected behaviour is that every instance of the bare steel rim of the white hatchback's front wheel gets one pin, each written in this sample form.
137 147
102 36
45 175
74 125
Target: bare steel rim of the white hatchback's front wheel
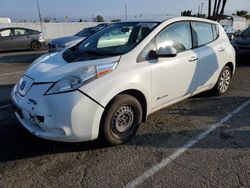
123 119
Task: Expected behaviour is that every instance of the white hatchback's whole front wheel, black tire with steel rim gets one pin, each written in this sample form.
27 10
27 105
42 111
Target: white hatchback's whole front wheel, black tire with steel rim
121 120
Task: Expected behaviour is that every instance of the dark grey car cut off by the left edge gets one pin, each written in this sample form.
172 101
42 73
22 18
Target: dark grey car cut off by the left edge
17 38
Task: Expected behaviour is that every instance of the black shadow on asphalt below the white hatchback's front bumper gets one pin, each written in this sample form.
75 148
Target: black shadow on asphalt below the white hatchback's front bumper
17 143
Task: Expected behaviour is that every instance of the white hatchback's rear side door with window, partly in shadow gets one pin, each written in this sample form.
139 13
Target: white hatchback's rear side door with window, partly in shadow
205 38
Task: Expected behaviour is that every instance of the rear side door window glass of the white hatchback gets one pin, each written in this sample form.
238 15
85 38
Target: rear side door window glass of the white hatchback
202 33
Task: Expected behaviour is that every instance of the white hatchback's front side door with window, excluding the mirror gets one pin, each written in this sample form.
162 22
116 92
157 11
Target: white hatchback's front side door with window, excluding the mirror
174 77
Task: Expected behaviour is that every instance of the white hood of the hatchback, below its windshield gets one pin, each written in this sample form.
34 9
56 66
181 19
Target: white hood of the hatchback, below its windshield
52 67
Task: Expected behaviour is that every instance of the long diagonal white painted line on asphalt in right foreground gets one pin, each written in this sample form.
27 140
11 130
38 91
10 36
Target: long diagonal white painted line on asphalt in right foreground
153 170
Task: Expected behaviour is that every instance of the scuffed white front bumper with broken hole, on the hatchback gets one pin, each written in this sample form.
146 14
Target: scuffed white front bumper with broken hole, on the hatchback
67 117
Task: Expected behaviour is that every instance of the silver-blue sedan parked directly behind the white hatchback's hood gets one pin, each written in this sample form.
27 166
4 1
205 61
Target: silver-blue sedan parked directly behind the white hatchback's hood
59 44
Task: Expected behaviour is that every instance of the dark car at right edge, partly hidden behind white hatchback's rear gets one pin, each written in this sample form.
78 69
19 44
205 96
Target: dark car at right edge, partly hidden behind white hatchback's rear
242 43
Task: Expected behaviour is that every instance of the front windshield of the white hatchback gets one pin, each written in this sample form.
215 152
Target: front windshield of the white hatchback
116 39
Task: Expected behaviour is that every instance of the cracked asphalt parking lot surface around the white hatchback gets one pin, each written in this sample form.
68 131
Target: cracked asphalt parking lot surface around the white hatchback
203 141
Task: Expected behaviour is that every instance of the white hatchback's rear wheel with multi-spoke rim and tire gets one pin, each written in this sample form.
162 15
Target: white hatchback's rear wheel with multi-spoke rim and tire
223 82
